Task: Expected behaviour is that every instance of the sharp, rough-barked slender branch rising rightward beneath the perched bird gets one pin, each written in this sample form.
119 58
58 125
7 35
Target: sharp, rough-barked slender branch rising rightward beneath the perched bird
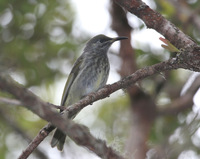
123 84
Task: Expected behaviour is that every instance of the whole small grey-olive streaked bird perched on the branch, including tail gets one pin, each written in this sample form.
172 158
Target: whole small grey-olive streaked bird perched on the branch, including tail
89 73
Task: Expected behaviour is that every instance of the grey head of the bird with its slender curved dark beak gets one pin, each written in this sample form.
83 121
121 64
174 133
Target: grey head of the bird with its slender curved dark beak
101 43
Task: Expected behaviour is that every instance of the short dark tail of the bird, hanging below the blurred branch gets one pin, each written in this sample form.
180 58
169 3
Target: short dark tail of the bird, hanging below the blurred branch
58 139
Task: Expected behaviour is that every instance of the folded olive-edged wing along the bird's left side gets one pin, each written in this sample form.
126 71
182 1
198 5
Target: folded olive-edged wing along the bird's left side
73 74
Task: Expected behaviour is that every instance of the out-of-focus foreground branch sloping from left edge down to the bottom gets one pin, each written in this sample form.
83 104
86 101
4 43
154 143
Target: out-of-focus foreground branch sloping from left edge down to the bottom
79 133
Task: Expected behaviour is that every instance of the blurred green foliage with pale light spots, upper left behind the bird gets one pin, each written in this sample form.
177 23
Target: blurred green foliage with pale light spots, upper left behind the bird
35 36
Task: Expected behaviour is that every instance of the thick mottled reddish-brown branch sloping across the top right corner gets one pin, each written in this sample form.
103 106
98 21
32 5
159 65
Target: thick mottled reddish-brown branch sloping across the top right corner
154 20
